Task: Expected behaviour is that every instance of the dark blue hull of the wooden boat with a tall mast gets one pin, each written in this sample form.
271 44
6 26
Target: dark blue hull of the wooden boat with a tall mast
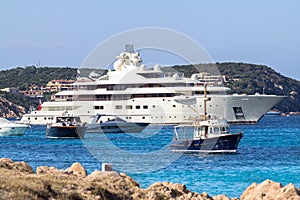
227 143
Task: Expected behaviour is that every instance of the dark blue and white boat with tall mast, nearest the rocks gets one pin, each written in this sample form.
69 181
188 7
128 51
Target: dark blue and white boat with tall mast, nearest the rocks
207 134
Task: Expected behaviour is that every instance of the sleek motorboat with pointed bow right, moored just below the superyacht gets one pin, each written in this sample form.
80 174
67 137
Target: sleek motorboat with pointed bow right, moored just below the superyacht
114 124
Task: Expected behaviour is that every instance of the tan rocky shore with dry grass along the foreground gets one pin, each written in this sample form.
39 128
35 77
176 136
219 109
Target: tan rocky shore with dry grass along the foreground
19 181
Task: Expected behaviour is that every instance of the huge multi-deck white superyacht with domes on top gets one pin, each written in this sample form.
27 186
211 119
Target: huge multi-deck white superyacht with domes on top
138 94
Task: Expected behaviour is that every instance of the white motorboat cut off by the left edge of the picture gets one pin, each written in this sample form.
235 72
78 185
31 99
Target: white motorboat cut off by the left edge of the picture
12 128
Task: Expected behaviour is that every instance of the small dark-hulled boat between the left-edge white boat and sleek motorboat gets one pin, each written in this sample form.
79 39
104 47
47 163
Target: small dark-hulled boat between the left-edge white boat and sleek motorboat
66 127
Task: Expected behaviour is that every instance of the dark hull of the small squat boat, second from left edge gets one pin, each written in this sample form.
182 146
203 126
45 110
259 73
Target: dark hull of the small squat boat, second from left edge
65 132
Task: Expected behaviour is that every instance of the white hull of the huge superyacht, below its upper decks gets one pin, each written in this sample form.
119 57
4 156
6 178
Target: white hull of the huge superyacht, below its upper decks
235 108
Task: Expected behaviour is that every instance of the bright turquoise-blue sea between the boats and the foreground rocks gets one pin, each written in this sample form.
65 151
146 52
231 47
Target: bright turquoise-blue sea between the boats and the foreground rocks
269 149
